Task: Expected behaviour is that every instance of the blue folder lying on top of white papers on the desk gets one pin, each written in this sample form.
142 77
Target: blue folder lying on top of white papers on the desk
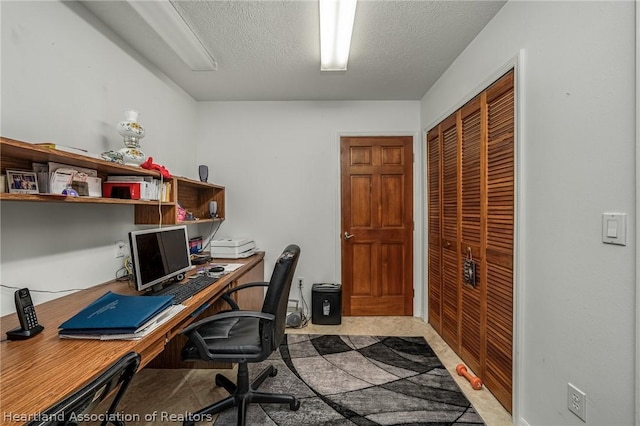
115 314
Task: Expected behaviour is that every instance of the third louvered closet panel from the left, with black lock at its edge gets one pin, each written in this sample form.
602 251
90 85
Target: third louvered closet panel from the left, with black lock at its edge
471 232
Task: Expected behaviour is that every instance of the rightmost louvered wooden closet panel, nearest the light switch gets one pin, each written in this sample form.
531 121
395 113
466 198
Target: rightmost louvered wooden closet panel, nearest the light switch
499 245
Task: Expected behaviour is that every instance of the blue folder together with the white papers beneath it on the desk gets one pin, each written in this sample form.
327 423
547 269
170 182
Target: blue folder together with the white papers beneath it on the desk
115 316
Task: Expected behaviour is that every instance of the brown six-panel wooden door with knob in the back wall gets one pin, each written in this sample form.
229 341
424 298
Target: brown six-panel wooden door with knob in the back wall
377 225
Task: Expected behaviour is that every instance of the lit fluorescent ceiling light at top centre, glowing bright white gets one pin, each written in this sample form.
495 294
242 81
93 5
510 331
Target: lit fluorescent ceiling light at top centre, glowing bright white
336 26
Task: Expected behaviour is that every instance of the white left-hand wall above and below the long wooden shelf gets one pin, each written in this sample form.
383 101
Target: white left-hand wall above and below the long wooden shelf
67 79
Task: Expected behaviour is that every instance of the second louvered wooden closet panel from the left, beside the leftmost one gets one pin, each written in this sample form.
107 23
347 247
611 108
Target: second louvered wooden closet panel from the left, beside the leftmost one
450 256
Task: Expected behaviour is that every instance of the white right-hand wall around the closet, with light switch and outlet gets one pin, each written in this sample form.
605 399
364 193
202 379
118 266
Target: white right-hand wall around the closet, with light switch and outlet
575 294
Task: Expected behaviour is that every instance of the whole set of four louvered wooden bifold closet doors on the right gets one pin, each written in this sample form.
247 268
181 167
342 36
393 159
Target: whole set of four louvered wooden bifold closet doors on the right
471 213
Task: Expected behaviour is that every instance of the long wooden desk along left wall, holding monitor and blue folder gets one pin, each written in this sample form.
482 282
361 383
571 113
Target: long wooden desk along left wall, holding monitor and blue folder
36 373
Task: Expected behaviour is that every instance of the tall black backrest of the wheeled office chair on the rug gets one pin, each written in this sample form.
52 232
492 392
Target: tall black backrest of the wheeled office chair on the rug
277 297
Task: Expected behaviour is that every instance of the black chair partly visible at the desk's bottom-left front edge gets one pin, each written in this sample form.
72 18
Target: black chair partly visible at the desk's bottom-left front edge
87 398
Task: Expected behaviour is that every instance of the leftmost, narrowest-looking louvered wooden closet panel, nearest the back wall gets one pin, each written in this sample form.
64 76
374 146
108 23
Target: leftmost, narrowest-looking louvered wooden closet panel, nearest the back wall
434 229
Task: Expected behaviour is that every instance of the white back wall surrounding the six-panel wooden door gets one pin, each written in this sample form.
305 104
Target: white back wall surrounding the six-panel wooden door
279 162
